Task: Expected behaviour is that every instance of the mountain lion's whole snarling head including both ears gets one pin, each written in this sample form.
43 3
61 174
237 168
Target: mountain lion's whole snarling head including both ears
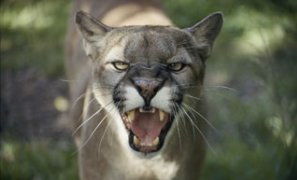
141 74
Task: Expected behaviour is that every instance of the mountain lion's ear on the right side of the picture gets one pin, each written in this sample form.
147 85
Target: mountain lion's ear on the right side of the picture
206 31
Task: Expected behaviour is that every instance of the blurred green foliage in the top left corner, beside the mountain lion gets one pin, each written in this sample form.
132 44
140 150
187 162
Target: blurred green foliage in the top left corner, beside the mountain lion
32 34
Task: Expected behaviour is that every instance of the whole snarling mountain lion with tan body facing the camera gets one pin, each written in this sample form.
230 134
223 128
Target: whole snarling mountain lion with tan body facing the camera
137 108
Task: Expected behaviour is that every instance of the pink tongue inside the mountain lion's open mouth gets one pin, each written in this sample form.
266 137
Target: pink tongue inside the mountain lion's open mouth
147 126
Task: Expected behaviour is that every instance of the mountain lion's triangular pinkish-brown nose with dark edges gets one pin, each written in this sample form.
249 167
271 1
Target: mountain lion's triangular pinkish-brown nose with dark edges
147 87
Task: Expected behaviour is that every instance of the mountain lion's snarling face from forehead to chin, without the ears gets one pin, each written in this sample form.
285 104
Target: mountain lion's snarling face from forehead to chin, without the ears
145 72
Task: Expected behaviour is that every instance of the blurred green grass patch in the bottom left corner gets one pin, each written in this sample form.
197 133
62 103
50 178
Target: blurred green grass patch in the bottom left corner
37 160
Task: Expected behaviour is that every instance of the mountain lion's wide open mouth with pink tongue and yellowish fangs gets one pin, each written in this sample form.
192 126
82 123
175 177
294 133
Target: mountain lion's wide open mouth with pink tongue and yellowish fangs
147 128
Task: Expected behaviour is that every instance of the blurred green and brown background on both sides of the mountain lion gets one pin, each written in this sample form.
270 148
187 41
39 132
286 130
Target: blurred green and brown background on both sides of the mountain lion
251 86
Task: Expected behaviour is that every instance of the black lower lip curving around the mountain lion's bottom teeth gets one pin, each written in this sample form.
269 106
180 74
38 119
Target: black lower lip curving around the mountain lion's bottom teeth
162 136
